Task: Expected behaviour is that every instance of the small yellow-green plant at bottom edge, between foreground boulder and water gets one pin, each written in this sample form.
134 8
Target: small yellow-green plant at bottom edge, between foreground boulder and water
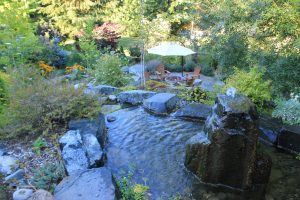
131 191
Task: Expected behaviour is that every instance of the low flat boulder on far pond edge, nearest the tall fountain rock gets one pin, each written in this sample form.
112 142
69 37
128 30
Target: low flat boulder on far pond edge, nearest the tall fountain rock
194 111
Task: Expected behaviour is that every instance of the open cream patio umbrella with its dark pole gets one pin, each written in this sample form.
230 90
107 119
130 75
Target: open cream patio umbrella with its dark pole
171 49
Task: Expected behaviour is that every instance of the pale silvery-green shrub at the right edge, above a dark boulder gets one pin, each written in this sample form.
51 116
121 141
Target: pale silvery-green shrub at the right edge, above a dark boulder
288 110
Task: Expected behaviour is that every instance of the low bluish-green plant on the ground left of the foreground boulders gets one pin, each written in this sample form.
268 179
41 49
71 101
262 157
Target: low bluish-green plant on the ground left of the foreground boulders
48 176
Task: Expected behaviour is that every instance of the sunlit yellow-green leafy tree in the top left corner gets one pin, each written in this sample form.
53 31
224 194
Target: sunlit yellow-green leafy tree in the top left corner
18 44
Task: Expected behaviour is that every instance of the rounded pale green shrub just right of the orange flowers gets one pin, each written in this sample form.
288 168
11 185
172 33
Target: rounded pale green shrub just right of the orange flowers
108 71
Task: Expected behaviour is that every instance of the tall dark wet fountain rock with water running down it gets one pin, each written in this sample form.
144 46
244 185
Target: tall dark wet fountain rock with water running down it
228 155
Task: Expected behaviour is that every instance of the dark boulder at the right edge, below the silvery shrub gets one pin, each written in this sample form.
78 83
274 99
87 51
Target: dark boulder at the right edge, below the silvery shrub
289 138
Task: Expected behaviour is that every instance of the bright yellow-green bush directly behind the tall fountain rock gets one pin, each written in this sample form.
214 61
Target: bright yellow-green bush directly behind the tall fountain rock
250 84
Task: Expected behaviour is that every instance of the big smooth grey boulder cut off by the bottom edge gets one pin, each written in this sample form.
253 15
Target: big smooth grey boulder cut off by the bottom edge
94 184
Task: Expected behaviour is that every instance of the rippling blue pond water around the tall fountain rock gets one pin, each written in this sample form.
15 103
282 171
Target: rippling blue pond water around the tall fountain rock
155 146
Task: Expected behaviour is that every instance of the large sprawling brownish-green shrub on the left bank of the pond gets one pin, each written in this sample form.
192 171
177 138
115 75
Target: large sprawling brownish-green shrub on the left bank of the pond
39 105
